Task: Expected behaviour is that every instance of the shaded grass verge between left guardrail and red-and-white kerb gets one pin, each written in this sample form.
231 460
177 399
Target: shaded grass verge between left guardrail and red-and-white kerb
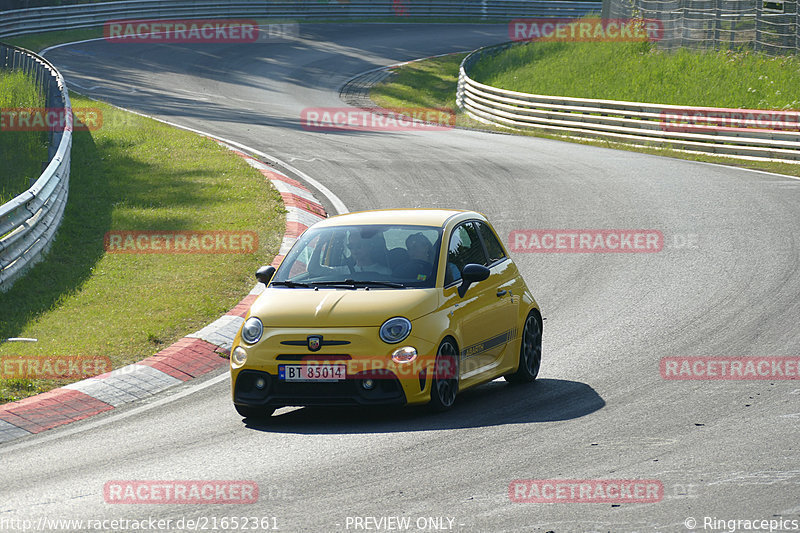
137 174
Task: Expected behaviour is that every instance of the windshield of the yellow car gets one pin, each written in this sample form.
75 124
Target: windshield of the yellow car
374 256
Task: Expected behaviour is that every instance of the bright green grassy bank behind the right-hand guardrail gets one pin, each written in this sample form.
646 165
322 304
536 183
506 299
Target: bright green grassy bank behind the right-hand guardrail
637 72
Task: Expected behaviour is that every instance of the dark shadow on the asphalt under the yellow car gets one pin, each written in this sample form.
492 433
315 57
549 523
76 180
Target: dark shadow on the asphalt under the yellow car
493 404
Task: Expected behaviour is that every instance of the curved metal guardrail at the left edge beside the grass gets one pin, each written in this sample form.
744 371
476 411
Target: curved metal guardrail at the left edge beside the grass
29 221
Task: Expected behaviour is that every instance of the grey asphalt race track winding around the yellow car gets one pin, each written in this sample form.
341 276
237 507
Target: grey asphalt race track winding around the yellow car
601 410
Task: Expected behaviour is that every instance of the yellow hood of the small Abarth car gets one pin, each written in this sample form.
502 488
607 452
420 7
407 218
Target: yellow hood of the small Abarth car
279 307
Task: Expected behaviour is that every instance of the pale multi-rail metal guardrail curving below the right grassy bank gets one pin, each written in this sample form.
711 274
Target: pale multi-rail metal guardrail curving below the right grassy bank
629 122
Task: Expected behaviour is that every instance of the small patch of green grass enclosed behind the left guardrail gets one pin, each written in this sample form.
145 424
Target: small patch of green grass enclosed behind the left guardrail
22 153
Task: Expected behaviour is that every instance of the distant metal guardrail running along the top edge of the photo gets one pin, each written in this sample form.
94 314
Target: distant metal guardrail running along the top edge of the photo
19 22
